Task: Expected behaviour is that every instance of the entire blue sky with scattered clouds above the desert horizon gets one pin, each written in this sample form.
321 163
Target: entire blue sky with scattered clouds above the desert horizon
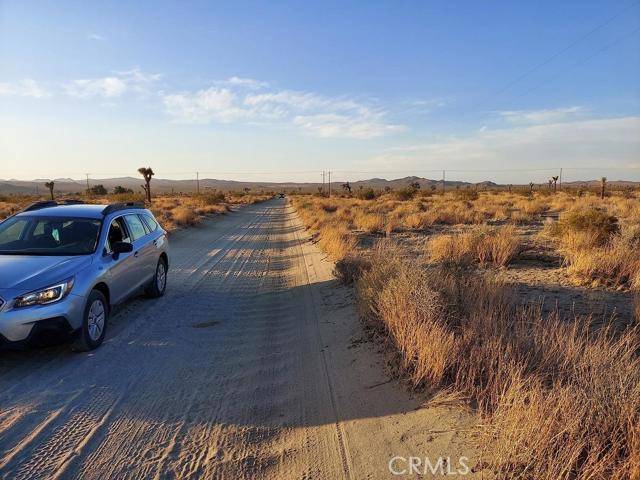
283 90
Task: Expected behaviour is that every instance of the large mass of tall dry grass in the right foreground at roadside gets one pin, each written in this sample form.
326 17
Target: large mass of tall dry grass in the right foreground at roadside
561 400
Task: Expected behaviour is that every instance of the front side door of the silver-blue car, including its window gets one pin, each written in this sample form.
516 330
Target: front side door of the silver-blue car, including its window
122 267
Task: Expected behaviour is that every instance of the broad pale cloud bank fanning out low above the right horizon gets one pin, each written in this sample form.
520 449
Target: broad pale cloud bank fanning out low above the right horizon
610 142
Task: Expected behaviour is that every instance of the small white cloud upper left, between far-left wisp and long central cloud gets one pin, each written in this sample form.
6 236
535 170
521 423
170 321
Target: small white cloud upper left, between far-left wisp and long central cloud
112 86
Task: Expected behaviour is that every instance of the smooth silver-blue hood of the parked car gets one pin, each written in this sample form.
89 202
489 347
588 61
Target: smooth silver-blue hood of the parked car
30 272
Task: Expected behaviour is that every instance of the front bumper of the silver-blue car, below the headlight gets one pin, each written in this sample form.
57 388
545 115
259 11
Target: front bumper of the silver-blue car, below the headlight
23 324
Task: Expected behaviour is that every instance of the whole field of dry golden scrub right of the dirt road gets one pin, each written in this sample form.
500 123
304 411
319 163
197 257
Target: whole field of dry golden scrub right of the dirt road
442 280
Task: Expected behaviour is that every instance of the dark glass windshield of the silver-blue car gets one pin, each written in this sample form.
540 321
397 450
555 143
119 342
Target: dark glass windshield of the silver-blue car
35 235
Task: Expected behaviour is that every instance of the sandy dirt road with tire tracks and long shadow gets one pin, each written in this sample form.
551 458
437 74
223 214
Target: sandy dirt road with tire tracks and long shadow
251 366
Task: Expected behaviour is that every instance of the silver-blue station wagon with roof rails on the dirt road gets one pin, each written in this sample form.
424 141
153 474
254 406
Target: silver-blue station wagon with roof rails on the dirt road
64 266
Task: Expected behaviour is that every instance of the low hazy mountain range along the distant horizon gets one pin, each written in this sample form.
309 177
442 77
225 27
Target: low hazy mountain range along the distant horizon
69 185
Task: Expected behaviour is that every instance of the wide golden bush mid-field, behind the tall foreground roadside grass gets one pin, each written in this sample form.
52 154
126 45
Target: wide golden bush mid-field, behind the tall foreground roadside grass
484 245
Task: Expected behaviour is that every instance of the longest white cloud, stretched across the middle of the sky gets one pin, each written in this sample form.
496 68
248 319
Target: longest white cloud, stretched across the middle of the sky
318 115
